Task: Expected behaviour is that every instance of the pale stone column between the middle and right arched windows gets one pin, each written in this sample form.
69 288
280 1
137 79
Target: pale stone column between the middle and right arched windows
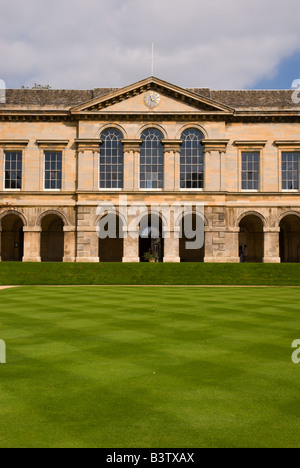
172 164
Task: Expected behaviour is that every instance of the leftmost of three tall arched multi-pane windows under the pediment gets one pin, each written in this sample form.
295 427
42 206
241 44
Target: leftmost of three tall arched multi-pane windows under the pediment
111 160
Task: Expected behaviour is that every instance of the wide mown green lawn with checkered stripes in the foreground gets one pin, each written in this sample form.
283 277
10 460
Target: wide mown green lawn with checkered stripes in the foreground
149 367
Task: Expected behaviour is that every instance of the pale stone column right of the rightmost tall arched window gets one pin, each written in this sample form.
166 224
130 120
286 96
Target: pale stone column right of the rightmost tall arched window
215 164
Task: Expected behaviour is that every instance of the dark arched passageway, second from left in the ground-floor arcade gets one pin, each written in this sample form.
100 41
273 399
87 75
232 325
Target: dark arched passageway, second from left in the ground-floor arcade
52 239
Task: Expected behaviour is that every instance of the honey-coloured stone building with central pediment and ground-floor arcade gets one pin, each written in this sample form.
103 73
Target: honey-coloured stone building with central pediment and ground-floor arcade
64 152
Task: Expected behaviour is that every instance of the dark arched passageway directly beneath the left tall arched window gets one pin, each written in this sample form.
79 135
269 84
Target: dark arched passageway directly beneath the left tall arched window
111 248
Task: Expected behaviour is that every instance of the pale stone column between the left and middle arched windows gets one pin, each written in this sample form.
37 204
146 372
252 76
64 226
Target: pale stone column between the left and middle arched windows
131 164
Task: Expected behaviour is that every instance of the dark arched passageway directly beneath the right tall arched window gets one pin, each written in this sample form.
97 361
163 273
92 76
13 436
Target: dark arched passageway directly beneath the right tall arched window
189 245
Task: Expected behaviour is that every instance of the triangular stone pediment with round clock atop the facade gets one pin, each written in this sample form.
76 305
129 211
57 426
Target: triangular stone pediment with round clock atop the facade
172 100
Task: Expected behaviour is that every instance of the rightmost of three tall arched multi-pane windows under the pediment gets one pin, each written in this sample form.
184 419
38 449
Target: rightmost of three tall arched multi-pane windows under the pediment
192 160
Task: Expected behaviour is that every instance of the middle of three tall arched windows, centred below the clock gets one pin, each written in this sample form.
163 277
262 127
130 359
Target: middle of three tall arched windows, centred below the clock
152 160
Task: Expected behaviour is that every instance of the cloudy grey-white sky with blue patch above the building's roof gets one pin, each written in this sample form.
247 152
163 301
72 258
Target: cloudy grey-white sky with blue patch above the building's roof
82 44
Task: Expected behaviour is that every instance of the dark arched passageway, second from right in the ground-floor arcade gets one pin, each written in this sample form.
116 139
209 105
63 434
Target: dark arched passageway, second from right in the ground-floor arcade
251 239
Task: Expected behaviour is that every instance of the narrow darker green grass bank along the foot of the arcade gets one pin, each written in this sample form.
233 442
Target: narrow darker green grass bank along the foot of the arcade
149 273
